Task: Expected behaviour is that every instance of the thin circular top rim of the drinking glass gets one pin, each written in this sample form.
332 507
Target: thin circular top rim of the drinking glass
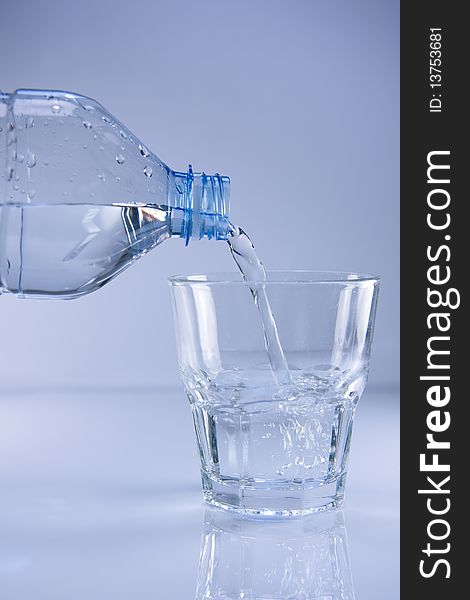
282 277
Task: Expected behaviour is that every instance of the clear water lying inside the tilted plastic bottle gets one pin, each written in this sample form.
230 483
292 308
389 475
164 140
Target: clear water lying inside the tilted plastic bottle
68 250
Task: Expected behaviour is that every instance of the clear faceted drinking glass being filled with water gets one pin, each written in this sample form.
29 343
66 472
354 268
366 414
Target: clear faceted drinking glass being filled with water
270 446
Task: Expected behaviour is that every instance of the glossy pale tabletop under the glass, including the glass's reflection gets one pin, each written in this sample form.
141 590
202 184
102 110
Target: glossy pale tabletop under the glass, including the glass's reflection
100 499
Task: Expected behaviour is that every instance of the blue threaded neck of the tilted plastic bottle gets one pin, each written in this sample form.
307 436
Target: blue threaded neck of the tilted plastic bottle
200 206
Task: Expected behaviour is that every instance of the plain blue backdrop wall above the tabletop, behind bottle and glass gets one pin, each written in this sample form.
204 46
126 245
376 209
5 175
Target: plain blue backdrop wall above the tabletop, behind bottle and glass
296 101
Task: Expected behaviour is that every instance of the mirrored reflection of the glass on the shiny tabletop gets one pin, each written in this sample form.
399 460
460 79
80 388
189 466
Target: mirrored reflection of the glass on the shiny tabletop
275 560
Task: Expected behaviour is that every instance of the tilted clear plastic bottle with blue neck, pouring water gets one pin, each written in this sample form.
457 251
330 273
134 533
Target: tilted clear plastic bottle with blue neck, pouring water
81 197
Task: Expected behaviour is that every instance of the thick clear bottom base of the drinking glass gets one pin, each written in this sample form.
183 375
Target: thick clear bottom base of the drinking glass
293 500
